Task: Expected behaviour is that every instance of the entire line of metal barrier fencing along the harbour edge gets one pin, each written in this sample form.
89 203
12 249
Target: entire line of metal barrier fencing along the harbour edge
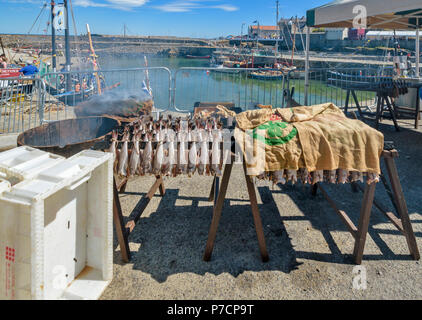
26 103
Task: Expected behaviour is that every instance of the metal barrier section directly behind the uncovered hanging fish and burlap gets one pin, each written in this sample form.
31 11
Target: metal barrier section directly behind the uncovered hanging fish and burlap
243 87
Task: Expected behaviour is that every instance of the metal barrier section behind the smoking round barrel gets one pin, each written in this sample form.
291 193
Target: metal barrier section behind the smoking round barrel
64 90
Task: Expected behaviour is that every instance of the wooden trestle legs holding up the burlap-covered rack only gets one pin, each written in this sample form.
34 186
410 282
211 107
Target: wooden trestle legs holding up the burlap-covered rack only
359 233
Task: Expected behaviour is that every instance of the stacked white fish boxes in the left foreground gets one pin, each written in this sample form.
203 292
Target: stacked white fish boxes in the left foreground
56 232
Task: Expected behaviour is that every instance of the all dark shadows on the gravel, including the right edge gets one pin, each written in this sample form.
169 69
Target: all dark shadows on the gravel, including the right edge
172 239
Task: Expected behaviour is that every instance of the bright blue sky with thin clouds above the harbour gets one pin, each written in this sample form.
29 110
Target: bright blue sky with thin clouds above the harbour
190 18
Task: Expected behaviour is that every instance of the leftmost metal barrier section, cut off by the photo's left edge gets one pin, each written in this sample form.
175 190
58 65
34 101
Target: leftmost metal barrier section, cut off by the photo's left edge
21 104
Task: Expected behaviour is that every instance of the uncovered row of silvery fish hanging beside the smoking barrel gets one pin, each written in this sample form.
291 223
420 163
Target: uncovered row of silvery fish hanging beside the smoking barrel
170 147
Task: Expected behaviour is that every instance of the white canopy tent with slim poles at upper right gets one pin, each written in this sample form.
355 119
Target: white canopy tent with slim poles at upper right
380 14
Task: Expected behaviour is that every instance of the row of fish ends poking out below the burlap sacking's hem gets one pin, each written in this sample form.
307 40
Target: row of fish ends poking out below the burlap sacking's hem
340 176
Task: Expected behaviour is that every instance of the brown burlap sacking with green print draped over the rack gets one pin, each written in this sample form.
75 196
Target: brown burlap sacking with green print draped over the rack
318 137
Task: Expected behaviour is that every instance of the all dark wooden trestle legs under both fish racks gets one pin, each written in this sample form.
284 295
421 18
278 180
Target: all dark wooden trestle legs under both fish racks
218 195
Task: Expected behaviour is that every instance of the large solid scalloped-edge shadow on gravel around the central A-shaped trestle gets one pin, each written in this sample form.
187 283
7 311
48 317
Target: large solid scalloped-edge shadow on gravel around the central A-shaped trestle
173 240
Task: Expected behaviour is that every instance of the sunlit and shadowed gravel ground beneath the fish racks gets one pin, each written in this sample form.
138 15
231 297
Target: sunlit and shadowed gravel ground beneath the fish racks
309 247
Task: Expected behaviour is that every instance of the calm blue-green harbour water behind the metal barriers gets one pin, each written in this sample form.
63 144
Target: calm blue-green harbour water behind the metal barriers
194 81
